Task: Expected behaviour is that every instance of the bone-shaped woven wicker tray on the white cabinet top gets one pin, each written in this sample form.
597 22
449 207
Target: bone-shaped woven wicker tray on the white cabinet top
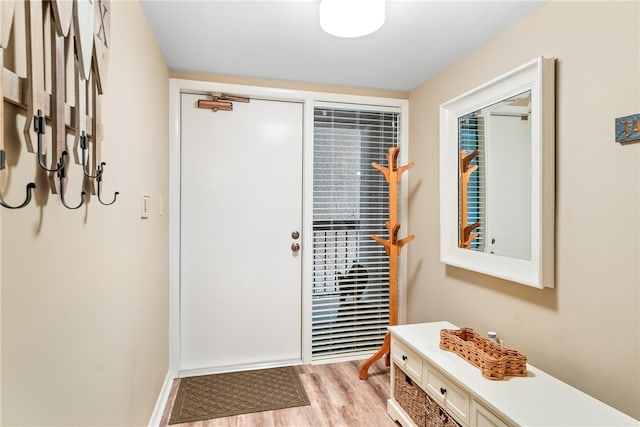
495 361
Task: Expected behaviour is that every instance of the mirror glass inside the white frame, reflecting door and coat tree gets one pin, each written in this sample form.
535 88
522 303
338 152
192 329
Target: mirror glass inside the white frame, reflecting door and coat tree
494 203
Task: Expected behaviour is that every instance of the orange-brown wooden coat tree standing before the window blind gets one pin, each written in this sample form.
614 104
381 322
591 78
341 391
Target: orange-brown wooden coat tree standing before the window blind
393 246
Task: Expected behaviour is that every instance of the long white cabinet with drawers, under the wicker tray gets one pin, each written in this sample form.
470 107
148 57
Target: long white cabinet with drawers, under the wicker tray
465 396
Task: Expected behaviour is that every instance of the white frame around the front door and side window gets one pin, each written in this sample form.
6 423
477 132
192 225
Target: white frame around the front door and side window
309 100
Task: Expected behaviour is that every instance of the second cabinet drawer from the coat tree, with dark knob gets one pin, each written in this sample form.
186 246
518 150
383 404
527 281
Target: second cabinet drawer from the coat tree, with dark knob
450 396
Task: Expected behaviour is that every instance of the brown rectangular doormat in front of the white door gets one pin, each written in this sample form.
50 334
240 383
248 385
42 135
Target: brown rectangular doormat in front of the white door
234 393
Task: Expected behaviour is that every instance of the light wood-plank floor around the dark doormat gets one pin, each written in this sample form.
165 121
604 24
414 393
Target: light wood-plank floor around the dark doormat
338 398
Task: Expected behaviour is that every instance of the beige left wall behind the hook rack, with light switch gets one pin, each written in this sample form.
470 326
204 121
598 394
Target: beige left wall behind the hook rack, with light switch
85 293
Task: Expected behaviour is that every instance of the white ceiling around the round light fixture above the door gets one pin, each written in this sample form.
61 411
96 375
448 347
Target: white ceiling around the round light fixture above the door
282 40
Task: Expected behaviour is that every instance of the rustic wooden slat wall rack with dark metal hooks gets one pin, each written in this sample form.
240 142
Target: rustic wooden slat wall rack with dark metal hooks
81 27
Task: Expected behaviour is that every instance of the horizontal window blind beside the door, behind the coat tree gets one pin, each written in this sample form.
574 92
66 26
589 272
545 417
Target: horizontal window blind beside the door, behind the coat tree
350 299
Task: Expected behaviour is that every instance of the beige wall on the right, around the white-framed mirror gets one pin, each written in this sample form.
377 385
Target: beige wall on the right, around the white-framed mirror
586 331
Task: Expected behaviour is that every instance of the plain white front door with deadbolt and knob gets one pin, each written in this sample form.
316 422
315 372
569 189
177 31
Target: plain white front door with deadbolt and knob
241 200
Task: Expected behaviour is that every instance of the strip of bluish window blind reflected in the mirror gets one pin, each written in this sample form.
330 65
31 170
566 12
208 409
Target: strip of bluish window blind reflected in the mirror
472 136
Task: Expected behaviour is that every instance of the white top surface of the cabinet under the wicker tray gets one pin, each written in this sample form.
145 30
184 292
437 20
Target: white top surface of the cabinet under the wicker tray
538 399
